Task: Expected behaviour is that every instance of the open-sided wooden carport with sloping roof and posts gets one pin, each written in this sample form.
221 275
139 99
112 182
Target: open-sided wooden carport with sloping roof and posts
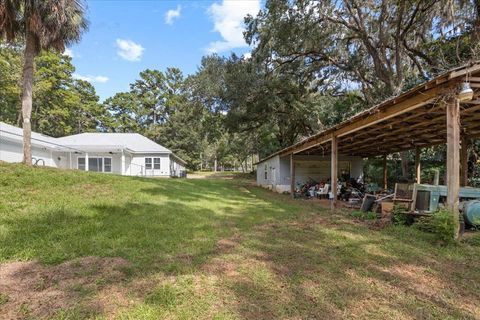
444 110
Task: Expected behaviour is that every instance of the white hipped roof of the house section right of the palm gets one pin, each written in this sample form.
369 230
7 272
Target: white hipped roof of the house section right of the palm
134 142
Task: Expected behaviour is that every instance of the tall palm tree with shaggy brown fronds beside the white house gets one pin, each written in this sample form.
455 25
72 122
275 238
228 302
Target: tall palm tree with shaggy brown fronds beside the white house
41 25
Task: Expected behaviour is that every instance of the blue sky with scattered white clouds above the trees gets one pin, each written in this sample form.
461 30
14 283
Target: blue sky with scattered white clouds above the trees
128 36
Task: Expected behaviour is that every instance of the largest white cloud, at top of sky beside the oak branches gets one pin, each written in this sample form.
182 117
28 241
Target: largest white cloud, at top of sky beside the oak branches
228 21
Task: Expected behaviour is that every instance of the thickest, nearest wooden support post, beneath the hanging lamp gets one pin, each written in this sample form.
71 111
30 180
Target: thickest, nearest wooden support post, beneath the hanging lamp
453 160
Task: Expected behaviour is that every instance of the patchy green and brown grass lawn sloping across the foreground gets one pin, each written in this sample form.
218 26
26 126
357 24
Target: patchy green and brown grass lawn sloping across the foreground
77 245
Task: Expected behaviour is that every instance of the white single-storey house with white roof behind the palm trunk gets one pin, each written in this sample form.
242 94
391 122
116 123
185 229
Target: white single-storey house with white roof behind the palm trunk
121 153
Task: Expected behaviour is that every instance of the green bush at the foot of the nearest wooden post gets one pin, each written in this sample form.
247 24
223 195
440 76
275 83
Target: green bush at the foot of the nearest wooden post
440 224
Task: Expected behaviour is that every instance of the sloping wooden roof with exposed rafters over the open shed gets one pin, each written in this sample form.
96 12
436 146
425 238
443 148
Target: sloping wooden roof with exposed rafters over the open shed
412 119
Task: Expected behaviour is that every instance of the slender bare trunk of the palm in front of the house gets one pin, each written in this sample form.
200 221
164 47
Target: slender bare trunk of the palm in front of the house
30 50
